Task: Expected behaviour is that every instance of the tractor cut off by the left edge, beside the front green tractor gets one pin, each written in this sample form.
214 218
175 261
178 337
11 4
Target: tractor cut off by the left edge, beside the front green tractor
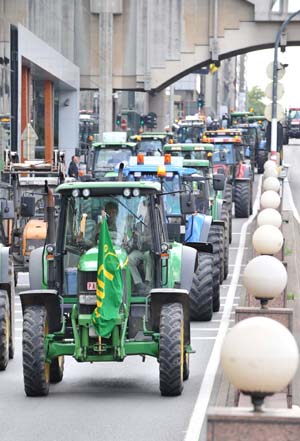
7 283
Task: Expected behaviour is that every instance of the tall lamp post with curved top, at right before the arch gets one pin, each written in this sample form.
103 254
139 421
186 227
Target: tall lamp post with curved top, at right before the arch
275 79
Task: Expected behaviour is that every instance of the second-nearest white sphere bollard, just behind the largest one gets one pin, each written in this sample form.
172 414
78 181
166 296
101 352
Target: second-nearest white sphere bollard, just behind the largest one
265 277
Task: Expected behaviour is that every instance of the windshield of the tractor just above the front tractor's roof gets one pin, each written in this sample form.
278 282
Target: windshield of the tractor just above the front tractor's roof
109 158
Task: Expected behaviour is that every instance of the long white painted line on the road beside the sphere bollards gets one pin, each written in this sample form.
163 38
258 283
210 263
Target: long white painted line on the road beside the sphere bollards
199 411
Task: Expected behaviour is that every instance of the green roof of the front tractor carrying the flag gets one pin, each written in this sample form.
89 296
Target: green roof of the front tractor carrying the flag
113 186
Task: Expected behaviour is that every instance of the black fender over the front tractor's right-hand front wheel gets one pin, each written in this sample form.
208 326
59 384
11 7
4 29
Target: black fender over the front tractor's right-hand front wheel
162 296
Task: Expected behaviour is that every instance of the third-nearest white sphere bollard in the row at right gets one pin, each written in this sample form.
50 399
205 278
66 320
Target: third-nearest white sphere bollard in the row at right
267 239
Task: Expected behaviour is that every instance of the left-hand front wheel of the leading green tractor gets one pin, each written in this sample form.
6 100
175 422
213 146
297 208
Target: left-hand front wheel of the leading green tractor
36 370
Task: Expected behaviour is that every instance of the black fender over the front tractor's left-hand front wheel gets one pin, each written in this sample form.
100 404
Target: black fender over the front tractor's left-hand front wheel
48 298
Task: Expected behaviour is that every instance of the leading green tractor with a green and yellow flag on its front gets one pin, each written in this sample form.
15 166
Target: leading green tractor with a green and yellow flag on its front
84 300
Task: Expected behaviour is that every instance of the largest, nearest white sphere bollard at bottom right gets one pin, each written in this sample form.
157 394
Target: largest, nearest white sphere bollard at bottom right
259 355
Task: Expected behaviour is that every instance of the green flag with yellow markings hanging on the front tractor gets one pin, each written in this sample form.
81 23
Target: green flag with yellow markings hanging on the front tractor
109 285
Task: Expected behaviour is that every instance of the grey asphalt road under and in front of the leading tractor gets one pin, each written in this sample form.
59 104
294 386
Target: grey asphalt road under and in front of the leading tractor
111 401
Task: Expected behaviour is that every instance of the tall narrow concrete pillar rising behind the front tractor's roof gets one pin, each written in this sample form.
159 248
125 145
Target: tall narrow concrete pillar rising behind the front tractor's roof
105 70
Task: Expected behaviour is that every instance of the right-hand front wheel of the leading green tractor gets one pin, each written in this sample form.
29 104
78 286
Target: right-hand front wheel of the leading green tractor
171 349
